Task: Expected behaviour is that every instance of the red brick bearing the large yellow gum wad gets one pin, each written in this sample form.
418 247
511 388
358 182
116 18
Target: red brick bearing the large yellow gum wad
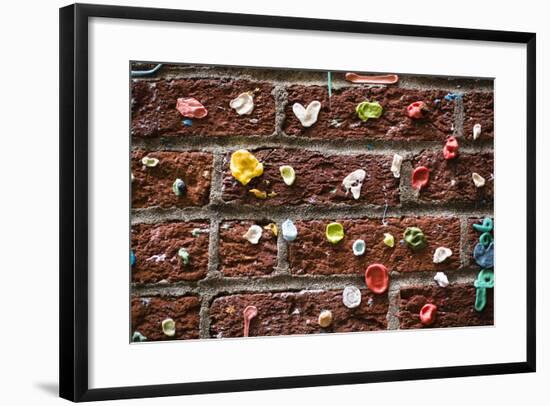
318 179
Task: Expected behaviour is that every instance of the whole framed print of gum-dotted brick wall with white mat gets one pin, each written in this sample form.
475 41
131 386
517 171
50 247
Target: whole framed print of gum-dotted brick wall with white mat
301 202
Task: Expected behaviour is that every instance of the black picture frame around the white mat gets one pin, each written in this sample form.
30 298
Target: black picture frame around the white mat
73 79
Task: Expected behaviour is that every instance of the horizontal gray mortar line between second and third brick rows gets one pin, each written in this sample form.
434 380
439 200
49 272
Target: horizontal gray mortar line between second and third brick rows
279 214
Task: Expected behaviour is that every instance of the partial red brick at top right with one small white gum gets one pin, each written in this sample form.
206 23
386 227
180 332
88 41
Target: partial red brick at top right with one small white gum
479 109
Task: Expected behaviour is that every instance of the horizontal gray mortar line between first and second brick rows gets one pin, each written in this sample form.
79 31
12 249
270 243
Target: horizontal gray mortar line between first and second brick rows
226 144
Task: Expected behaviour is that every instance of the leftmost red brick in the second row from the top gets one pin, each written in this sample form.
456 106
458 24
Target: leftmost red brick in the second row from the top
152 187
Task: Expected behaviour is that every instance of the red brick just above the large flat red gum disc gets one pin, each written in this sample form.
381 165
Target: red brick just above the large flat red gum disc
311 253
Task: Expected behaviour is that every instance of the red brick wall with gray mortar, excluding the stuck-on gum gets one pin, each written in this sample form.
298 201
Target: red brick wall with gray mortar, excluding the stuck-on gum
290 283
